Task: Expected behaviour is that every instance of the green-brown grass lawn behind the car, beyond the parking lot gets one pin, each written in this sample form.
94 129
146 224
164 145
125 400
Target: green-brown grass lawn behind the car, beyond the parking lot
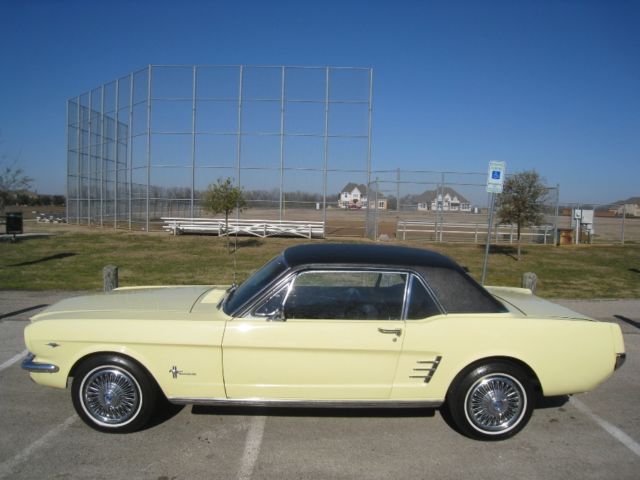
73 259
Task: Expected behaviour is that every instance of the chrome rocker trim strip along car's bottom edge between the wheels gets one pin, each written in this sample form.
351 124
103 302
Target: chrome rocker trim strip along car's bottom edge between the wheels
262 402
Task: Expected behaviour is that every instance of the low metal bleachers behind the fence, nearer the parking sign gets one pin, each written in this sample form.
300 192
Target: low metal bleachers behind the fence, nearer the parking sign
476 232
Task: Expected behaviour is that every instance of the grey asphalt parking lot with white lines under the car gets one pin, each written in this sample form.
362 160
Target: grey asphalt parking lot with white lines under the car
590 436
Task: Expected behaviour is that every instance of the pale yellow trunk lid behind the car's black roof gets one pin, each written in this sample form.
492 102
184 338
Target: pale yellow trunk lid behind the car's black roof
522 301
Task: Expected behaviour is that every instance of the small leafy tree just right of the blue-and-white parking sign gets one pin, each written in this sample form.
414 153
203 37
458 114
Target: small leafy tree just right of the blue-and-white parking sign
522 201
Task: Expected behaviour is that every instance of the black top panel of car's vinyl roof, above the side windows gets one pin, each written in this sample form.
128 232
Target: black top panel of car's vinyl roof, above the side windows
365 254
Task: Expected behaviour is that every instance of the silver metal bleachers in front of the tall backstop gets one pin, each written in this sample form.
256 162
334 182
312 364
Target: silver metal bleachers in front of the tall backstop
256 228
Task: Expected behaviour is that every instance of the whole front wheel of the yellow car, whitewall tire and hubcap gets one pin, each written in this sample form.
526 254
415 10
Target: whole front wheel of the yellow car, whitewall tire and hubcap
113 394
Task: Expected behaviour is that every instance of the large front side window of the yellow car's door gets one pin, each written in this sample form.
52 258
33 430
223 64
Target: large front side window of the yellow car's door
348 295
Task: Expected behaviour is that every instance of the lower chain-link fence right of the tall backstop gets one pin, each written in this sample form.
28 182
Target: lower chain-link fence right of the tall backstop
451 207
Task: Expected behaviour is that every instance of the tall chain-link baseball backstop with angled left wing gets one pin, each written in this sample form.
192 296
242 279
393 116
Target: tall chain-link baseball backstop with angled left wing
145 146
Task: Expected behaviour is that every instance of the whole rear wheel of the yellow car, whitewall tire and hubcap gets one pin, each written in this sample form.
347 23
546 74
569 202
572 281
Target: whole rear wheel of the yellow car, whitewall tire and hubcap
492 401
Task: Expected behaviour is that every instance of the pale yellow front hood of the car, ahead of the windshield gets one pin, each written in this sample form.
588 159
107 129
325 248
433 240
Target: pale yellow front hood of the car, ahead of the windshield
137 299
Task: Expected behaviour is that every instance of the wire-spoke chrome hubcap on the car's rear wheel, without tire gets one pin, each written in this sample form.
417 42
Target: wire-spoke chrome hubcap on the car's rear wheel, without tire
495 403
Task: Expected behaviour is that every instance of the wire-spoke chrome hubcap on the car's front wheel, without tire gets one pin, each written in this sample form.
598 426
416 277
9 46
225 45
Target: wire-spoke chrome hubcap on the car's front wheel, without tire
110 396
